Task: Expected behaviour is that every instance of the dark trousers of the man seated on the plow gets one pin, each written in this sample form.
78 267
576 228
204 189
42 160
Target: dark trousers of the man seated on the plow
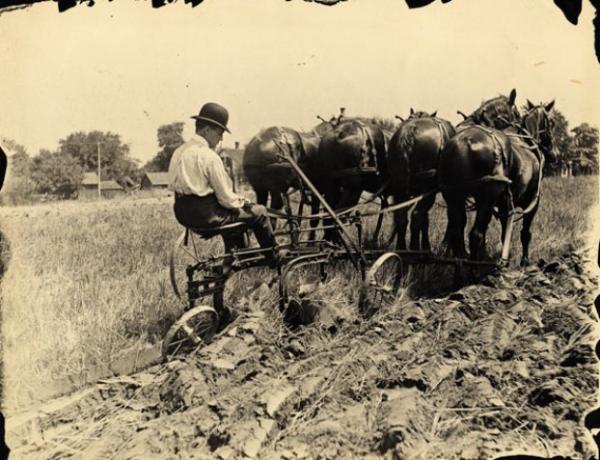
205 212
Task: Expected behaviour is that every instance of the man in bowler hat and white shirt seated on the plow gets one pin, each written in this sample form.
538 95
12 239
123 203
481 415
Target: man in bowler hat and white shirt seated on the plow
204 196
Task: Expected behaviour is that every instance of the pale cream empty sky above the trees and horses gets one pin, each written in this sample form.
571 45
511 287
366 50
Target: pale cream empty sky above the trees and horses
125 67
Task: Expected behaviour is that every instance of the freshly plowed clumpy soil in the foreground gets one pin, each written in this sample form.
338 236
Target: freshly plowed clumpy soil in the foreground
502 366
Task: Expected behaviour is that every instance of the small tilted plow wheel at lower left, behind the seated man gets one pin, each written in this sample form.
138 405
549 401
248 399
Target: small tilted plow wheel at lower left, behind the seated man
194 329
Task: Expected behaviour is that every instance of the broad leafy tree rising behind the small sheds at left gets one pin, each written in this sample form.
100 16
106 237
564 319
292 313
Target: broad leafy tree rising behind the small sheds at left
114 154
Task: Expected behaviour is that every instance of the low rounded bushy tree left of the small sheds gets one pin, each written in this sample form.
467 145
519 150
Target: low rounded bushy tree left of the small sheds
56 174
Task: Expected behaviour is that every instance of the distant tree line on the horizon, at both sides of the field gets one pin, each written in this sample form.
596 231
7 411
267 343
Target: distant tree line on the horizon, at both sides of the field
58 174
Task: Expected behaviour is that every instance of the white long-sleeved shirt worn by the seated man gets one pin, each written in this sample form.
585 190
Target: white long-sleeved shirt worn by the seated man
196 169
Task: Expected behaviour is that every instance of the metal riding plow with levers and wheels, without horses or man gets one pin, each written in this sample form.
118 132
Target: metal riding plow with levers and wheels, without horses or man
196 277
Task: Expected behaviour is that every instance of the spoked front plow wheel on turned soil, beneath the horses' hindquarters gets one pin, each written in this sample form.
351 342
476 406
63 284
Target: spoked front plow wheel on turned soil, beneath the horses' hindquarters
381 285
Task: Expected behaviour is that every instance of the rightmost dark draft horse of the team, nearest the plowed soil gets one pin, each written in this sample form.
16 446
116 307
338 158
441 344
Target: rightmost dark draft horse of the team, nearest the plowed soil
496 167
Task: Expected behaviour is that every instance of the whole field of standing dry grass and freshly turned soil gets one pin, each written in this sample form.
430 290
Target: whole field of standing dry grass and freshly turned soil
83 282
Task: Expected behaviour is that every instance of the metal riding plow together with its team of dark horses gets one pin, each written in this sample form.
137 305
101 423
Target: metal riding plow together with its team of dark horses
494 156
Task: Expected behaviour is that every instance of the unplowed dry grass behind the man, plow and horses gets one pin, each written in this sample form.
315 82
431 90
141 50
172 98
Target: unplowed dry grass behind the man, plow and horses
85 281
